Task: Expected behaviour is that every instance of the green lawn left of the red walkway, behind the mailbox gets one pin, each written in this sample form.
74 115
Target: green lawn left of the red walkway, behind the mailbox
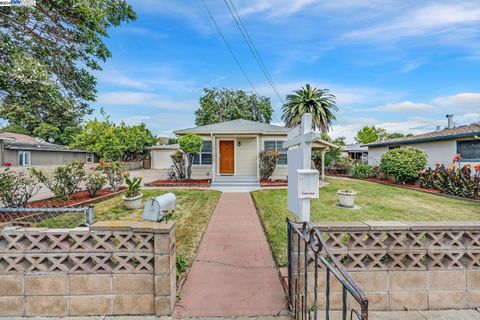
194 209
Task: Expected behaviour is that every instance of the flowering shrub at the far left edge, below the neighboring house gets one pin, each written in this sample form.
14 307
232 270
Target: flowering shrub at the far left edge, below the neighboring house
17 188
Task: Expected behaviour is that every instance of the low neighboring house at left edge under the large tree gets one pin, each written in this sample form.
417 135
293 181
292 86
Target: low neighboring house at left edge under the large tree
22 150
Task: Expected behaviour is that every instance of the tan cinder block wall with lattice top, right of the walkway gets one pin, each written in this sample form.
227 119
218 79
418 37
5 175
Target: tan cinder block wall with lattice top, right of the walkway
400 266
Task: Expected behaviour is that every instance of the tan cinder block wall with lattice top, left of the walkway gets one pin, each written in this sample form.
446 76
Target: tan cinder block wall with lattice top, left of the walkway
111 268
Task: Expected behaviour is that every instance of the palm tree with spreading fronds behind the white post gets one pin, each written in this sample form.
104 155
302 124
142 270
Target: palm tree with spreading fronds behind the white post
318 102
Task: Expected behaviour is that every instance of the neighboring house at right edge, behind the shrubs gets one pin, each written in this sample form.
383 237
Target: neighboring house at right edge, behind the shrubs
441 145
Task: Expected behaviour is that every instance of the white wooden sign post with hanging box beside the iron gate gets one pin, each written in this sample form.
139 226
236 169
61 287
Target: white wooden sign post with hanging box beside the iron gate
303 182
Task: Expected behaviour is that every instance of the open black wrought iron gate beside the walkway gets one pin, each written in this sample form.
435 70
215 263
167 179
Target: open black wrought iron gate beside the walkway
309 259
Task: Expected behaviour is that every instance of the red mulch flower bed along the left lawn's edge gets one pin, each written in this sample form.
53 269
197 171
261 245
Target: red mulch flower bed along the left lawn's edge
79 199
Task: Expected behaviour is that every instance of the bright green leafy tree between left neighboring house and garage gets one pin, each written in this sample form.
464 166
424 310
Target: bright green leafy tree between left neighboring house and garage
114 142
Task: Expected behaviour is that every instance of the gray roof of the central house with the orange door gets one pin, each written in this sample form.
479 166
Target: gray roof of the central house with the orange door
236 126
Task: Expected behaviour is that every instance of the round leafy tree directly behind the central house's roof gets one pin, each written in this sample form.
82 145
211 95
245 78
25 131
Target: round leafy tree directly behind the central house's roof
218 105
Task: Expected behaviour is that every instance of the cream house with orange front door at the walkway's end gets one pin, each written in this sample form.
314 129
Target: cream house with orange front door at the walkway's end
231 150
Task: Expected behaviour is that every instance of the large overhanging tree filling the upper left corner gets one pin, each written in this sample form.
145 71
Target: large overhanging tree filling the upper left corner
47 54
